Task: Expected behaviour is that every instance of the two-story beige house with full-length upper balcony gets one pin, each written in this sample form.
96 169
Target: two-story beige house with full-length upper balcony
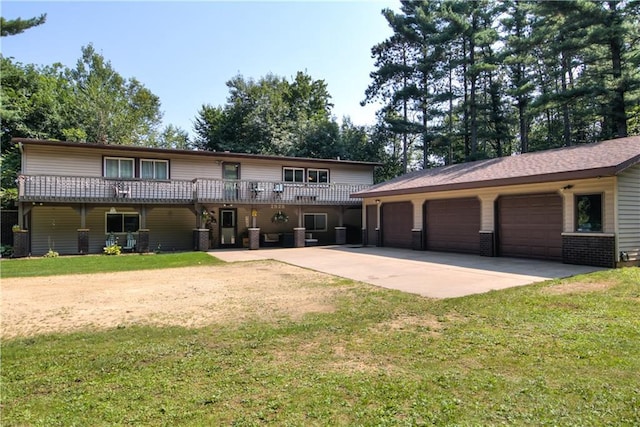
75 197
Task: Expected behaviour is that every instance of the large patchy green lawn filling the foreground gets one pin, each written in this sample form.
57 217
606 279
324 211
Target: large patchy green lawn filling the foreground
562 352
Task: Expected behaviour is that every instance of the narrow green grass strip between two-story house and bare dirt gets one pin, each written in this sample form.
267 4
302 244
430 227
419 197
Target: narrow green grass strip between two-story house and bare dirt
101 263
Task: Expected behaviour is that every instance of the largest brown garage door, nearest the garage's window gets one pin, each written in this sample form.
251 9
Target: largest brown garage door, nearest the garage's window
530 226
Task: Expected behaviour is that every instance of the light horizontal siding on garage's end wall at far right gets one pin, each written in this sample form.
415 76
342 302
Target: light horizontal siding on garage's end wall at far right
629 212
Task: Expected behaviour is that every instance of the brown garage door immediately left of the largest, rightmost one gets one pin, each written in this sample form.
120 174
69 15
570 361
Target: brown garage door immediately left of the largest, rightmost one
453 225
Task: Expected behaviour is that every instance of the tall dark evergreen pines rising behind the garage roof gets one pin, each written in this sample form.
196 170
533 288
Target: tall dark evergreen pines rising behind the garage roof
465 80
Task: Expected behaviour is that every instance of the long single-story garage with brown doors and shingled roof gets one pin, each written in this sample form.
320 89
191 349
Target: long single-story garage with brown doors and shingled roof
576 204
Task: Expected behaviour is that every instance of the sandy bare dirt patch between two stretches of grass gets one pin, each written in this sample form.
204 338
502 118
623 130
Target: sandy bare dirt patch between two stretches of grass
192 297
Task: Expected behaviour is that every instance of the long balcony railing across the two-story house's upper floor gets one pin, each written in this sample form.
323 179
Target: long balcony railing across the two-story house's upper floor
43 188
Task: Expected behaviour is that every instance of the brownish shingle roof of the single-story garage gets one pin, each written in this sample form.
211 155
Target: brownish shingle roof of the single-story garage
606 158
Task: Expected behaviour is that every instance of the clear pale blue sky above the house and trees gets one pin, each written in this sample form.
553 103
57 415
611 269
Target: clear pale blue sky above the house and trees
184 52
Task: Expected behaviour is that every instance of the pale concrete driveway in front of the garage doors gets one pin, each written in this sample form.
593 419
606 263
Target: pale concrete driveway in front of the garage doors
431 274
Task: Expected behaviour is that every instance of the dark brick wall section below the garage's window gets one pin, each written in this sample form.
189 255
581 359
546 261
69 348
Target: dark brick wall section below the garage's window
598 251
